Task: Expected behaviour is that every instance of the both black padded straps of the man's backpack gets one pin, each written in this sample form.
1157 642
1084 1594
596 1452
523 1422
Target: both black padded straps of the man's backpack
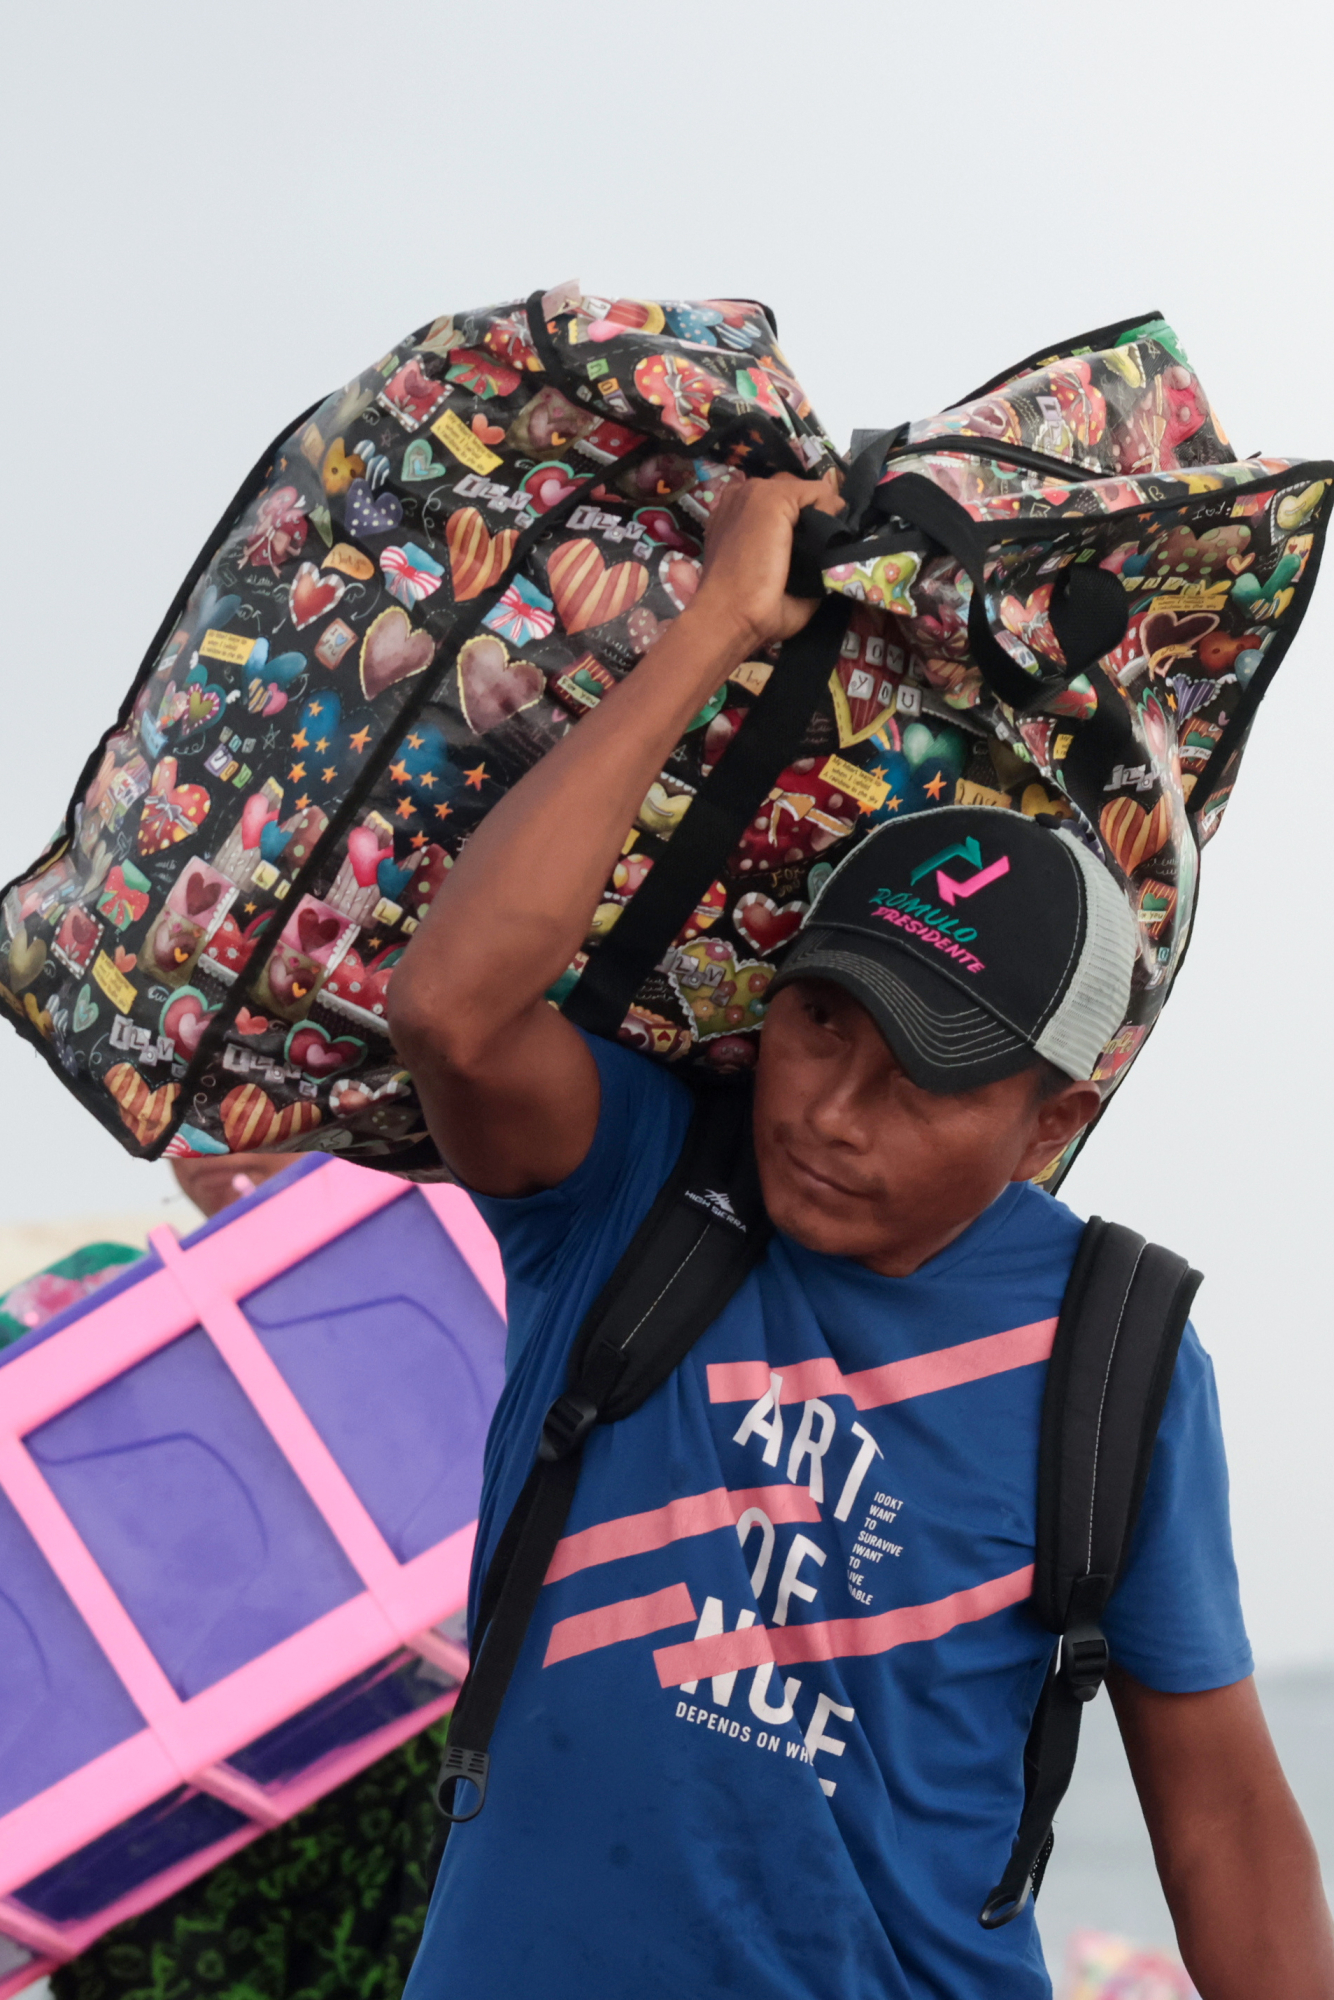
1109 1377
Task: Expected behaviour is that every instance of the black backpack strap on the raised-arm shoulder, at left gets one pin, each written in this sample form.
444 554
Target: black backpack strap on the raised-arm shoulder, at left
701 1239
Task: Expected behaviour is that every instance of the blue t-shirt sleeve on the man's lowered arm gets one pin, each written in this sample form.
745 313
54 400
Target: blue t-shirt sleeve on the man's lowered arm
1175 1621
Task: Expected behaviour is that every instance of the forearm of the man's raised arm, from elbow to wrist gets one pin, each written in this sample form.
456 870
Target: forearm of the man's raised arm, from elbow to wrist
521 899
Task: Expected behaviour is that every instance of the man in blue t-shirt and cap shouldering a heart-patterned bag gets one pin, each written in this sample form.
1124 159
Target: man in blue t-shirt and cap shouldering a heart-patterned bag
663 1821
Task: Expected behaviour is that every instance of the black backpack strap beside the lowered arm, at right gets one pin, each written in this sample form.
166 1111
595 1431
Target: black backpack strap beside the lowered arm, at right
1117 1339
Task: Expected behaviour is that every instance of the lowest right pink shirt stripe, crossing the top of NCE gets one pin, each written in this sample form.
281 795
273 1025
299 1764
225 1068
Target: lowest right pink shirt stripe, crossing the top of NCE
835 1639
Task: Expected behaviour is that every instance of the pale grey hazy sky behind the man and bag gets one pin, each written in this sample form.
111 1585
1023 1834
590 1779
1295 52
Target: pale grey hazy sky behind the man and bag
219 213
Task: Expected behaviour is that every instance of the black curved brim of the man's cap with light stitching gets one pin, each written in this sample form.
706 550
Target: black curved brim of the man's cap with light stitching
945 1041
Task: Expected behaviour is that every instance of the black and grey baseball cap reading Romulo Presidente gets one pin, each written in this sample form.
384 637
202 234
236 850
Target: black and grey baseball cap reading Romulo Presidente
977 941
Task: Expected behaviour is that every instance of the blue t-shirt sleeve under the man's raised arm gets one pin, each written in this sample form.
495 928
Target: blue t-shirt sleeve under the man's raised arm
559 1247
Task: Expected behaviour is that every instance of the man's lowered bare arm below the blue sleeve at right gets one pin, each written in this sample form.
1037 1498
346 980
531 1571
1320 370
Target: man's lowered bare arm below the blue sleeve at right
1237 1863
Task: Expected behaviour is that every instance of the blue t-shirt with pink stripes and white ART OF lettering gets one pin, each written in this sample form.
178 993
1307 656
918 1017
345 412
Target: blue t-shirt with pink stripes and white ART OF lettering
767 1729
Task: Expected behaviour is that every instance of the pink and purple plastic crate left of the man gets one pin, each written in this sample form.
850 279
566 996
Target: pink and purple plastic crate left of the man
237 1515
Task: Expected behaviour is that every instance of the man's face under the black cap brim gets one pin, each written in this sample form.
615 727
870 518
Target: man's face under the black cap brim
857 1161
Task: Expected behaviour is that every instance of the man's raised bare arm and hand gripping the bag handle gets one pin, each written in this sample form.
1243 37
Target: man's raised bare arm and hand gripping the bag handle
507 1085
